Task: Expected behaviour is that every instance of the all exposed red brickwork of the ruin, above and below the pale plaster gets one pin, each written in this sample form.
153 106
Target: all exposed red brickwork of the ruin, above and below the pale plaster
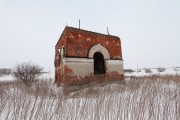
77 44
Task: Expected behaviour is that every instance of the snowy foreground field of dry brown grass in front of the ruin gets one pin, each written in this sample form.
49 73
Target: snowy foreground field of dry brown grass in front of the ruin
138 98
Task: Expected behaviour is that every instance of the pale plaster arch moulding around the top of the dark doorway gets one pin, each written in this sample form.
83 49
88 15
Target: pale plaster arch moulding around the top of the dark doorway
99 48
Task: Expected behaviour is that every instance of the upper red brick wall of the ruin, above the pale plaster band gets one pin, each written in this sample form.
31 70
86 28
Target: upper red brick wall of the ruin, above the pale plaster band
78 42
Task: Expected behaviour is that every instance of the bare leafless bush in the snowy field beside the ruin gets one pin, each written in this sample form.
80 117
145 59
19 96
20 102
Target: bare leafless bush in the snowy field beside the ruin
27 72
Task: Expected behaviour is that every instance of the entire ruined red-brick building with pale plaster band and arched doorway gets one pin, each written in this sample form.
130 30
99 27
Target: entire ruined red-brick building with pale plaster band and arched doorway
83 56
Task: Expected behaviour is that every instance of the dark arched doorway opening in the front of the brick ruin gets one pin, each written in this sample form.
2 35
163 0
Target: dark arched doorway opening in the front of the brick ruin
99 67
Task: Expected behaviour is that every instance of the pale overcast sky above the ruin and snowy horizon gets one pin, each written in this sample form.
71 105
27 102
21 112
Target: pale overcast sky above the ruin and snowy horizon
149 29
